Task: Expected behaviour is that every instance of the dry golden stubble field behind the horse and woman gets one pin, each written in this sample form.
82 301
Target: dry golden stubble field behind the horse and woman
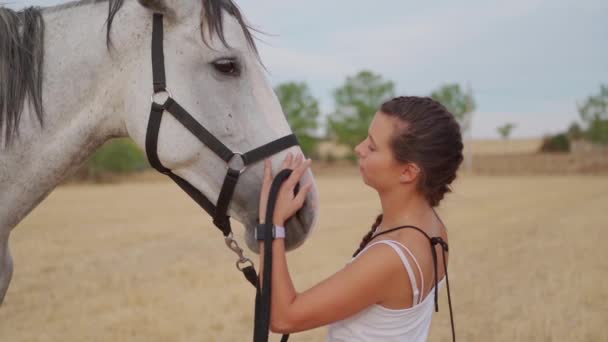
140 262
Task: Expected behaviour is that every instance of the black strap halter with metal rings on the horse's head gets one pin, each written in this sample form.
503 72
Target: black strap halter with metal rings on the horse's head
219 211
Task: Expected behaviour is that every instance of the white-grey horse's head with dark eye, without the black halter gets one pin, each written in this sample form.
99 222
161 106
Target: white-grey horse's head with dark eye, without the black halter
213 70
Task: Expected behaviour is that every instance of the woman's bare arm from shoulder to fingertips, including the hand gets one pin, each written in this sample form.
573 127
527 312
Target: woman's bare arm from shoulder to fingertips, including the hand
350 290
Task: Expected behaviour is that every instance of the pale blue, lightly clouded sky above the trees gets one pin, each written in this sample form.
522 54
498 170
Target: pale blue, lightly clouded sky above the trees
528 62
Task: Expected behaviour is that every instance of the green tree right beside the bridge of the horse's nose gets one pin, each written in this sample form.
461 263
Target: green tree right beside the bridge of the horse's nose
302 111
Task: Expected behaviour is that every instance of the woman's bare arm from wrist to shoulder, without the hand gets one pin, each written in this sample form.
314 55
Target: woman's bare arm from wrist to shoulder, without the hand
350 290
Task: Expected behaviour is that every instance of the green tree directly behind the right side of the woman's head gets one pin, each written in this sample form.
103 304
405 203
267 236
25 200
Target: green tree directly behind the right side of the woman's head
459 103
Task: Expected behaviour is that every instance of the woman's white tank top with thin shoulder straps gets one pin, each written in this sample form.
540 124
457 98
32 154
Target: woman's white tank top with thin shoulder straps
377 323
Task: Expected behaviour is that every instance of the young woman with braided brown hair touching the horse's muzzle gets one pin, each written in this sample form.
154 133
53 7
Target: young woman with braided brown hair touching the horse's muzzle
388 291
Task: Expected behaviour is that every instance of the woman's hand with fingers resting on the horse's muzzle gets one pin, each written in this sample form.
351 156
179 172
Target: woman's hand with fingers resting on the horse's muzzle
287 203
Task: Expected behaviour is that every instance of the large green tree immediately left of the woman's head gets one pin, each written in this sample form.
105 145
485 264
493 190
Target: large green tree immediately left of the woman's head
356 102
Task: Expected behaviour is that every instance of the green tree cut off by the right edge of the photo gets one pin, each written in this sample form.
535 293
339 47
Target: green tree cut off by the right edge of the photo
594 113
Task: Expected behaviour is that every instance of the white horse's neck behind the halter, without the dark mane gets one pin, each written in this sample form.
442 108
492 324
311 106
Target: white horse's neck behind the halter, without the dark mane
84 89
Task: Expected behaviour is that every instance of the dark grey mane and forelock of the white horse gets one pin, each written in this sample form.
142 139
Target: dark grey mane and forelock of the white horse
22 53
